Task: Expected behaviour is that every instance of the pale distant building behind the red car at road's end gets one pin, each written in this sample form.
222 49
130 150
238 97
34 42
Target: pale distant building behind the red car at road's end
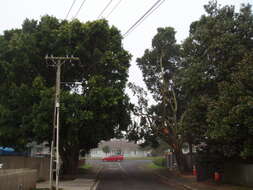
116 147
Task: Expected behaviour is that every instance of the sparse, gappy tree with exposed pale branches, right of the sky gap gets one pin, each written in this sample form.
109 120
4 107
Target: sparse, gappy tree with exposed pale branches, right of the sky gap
159 67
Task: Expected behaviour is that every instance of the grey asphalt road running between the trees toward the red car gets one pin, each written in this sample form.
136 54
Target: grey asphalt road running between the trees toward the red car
128 175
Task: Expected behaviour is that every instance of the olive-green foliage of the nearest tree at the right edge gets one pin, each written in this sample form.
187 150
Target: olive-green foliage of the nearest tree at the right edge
230 116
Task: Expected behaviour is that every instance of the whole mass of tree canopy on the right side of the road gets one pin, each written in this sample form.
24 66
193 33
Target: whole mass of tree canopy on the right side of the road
203 87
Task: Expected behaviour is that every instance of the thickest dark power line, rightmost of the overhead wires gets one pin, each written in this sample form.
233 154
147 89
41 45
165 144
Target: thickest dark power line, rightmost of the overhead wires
147 13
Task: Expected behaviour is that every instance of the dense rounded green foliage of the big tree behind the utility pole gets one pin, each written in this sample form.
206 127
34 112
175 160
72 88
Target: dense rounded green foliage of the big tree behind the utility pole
100 110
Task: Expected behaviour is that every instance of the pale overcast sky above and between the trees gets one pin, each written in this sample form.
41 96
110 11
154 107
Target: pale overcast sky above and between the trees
175 13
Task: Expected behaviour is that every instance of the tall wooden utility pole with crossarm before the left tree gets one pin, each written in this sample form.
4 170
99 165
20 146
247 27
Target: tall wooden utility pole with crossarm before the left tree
55 157
